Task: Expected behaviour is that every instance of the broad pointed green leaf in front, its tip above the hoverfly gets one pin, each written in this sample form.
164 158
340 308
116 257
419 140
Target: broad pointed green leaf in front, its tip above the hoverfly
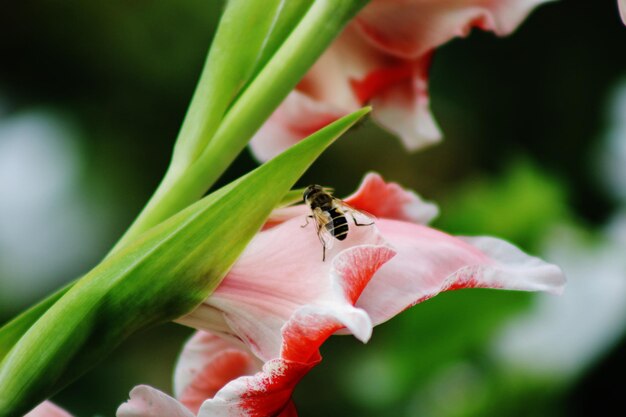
162 275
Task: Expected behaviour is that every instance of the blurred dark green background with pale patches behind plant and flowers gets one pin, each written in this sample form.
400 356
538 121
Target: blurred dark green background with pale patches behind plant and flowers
92 95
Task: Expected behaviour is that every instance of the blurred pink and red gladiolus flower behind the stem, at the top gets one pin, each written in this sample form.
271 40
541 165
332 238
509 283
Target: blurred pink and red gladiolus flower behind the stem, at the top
383 58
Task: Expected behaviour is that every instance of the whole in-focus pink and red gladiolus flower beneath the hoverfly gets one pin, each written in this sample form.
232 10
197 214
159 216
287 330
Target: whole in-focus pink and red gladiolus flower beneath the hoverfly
280 302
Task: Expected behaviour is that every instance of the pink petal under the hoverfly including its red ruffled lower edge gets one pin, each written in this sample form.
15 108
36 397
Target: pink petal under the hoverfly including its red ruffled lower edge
285 311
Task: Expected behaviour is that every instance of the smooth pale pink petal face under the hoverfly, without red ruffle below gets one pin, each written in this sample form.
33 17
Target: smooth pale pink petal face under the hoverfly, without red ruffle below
257 301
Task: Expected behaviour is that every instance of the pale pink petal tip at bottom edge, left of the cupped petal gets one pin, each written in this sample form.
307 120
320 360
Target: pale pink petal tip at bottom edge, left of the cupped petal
146 401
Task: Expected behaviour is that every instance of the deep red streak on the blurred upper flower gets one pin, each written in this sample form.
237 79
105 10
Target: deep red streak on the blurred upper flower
379 80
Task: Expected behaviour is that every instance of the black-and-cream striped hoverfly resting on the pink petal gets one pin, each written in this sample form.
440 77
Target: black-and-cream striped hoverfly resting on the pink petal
329 214
